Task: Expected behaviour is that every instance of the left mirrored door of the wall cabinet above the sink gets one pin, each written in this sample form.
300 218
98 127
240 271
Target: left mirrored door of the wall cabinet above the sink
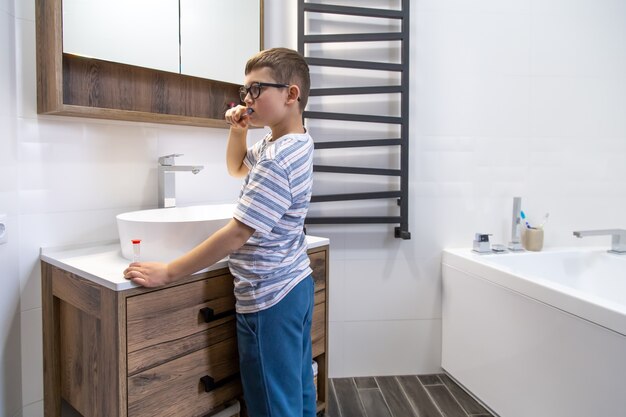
137 32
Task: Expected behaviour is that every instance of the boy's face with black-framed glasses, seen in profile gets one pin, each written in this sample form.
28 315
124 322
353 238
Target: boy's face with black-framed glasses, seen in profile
270 107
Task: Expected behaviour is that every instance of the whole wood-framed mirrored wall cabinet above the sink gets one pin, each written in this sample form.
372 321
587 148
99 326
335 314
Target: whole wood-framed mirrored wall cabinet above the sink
126 66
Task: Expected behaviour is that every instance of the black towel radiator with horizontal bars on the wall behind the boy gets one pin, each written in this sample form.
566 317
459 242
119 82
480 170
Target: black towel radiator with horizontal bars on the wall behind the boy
401 194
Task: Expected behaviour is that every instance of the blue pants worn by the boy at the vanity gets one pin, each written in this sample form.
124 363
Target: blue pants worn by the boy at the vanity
275 356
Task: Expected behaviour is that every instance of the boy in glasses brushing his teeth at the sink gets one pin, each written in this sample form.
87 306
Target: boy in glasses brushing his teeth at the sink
265 239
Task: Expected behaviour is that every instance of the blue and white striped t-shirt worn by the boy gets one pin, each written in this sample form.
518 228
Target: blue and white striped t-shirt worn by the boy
274 201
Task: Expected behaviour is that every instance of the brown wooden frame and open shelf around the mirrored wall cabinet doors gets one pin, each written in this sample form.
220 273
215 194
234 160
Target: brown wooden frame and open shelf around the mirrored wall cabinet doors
72 85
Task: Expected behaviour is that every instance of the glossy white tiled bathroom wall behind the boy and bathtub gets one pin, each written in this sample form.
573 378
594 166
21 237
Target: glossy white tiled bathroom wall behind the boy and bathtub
507 98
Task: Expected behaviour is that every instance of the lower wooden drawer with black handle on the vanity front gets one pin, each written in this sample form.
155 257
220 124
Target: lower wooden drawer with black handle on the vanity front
176 388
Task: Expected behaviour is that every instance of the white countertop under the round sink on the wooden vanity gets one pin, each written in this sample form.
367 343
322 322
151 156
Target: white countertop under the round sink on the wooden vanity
103 263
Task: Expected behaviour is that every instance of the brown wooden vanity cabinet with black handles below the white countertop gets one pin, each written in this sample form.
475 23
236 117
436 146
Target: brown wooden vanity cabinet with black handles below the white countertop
141 352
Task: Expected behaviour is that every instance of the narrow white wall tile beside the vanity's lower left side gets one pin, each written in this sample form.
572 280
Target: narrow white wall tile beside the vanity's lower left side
32 356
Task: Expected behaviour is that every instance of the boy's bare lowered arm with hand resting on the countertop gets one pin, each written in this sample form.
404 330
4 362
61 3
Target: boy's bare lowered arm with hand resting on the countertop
219 245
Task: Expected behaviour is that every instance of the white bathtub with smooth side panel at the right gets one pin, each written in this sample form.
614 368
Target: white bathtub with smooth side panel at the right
539 334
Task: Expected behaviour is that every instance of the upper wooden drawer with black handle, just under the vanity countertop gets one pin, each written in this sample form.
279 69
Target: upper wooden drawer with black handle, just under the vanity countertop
174 313
